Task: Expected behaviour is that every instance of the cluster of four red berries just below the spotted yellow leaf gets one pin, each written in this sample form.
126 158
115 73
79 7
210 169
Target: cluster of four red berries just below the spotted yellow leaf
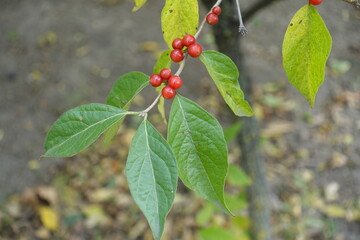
189 41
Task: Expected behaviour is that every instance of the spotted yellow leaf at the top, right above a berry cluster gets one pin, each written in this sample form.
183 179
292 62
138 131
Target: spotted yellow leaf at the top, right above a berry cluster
178 18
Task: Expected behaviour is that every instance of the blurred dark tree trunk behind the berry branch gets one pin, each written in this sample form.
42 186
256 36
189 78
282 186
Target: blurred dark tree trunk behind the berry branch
228 40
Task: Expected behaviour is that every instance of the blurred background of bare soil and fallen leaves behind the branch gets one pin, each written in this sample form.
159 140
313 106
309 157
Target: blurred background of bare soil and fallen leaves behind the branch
55 55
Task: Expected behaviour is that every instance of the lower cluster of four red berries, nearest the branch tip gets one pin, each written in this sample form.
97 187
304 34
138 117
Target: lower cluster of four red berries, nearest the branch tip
173 82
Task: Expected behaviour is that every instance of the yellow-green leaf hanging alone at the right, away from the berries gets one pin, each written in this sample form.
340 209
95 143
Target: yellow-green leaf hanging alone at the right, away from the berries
306 48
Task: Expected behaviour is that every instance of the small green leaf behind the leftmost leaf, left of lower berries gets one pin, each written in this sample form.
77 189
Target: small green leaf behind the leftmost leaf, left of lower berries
126 88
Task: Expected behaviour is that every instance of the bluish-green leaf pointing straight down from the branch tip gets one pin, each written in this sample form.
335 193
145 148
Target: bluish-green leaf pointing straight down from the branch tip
152 175
